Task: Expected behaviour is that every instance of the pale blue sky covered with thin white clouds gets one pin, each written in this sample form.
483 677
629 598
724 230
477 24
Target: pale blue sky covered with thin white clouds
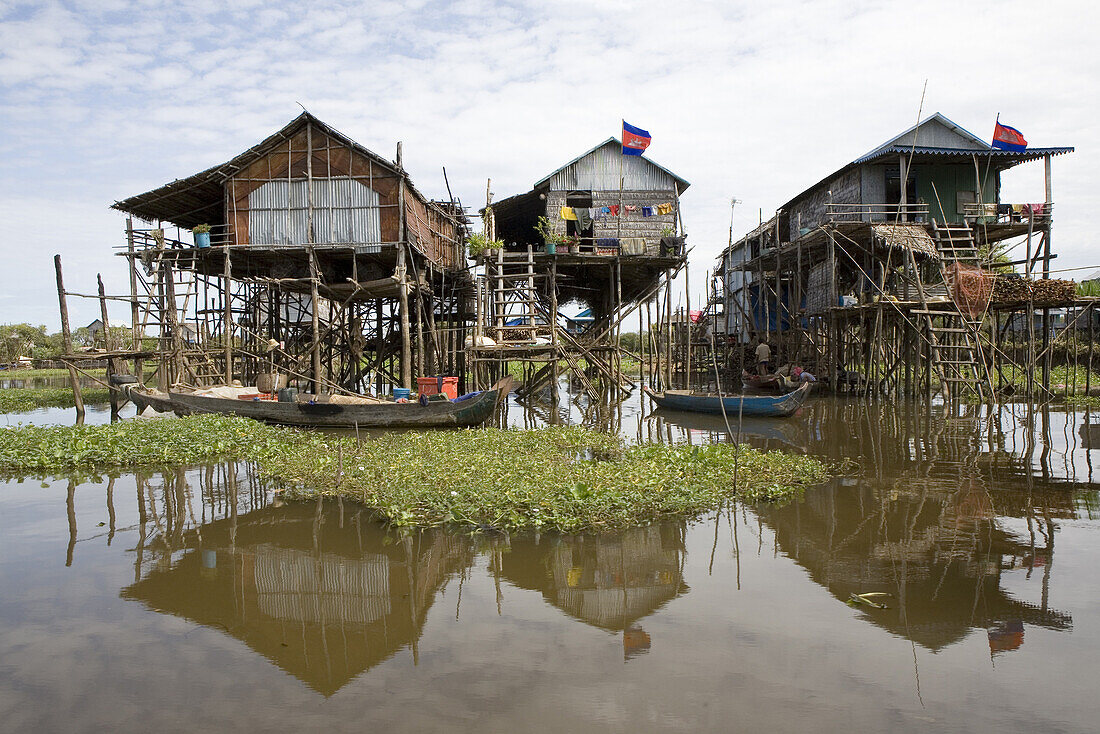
103 100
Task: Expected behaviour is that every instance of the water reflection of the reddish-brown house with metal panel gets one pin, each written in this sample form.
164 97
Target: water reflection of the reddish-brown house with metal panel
323 599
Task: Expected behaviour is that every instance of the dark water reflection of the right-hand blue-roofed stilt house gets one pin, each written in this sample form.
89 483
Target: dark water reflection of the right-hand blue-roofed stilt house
936 545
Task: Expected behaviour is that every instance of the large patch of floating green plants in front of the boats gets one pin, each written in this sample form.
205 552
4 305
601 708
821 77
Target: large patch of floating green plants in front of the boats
562 478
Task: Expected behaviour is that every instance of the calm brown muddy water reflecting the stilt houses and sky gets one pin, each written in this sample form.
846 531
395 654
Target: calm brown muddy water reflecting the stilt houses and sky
196 601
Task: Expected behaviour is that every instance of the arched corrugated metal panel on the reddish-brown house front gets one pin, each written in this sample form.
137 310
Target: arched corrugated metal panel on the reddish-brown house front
345 211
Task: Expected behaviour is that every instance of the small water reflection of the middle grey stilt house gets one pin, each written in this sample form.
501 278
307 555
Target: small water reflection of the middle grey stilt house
611 583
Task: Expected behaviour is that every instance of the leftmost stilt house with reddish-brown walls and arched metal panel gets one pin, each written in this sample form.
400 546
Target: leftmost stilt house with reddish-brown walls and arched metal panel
306 223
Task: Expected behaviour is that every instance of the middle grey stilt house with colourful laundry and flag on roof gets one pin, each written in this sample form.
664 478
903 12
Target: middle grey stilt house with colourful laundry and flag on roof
603 232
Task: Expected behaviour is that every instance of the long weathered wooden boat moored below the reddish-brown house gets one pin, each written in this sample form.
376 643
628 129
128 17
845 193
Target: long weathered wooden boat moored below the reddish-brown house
383 414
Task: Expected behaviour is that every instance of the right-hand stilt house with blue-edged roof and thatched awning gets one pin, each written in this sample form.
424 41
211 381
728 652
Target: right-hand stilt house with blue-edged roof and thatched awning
904 226
